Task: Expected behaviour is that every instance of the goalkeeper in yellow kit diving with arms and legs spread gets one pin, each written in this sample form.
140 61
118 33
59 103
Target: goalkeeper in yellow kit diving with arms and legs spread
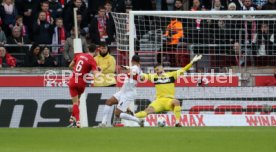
165 89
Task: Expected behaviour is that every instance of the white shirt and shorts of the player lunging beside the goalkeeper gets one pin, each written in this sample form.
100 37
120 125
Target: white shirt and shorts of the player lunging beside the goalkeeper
127 94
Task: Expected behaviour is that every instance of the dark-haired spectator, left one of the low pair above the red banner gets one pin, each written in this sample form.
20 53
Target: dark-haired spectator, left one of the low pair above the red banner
35 57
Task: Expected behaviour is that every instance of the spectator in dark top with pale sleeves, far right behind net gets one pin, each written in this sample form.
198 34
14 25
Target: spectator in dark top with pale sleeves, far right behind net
264 40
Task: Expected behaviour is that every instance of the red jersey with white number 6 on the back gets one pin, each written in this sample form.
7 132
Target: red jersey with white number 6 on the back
84 63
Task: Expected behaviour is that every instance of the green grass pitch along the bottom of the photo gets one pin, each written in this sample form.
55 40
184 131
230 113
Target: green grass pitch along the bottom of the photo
204 139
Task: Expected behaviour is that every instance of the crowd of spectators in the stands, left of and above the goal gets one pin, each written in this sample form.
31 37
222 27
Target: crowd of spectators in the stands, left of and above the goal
50 22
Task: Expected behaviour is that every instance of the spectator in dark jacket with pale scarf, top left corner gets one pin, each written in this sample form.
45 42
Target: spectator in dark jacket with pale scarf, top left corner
10 14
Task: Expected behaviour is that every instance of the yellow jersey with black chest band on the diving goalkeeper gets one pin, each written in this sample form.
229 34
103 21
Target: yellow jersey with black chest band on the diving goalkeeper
164 84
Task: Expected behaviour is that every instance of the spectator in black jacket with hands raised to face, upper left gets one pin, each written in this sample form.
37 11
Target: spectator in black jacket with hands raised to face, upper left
43 30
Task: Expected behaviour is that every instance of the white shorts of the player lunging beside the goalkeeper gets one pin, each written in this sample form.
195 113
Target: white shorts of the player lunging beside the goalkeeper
124 99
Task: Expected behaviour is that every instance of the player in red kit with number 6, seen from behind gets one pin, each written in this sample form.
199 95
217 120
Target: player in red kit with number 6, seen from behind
82 64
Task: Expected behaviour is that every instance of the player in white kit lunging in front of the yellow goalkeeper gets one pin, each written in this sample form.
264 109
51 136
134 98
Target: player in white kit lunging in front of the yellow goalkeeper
125 96
